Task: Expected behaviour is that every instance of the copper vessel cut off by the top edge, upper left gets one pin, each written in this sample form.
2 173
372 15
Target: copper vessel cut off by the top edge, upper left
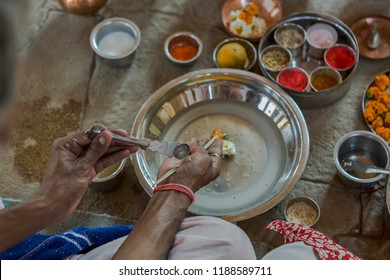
82 7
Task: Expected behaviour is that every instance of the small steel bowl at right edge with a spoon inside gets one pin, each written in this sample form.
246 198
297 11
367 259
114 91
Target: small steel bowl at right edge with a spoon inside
366 148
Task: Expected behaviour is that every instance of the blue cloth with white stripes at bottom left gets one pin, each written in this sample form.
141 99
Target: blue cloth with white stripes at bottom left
61 246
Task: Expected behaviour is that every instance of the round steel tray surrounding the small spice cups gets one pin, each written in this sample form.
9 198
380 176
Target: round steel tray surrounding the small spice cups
310 100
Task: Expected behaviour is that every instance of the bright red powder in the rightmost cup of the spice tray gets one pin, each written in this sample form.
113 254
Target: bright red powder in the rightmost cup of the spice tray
340 57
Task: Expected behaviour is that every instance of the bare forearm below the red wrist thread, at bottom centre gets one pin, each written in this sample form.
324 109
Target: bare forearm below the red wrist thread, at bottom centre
154 233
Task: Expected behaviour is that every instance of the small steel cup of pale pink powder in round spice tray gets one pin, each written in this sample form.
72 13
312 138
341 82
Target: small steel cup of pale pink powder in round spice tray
320 37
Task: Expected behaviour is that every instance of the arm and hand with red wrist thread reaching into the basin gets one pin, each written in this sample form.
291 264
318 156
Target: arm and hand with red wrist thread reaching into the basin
155 231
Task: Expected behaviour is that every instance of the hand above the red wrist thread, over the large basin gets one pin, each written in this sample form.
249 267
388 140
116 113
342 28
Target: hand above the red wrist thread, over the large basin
196 170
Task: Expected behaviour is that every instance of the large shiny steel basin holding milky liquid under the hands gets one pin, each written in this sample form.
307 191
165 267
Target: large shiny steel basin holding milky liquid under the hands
266 125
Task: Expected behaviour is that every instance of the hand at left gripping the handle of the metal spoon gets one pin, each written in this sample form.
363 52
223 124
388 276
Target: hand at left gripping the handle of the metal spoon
75 161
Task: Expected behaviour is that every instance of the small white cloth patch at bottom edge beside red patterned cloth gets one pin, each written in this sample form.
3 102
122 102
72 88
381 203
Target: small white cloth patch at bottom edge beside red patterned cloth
292 251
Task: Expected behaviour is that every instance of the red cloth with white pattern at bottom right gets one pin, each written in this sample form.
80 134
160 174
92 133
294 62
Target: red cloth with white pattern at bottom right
325 247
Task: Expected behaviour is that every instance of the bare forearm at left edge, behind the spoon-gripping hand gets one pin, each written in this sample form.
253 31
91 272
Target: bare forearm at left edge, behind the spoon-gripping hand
21 221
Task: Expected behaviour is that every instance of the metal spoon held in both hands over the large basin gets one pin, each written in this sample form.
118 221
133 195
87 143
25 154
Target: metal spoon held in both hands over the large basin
170 149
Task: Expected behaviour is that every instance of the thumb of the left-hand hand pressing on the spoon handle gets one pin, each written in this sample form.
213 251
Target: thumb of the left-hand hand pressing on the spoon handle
98 147
